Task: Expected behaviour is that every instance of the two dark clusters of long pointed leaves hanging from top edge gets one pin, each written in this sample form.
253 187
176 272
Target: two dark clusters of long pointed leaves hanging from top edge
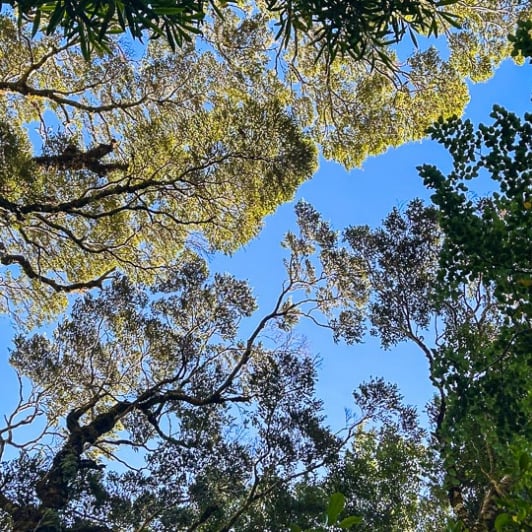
339 28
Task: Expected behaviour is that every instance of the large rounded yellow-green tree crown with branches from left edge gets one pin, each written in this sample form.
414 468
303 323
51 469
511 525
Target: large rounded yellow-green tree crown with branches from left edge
196 155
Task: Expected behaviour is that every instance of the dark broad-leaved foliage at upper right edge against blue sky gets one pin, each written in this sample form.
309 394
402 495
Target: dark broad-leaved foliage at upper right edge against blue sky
487 236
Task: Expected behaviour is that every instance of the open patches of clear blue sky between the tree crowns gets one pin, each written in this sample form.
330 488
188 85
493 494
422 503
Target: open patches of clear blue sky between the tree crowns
359 197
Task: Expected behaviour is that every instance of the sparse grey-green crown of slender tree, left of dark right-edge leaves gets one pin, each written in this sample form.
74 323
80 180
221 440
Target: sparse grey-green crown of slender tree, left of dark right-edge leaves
402 259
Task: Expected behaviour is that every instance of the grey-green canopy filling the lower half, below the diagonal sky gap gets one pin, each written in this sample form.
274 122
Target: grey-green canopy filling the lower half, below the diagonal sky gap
234 420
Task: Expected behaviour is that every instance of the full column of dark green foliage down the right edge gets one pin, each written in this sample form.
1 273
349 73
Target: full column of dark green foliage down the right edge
484 417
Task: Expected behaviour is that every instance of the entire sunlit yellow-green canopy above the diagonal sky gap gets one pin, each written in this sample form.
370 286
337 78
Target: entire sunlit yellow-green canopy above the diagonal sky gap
113 165
